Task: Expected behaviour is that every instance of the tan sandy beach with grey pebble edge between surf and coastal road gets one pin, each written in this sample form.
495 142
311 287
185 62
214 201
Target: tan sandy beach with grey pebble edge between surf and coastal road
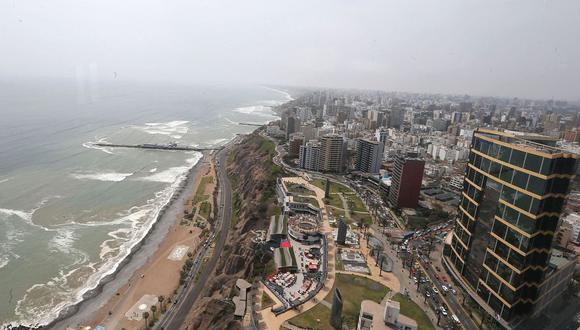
149 270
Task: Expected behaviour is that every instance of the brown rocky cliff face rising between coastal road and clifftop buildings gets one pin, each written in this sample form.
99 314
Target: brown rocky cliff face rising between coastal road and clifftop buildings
253 178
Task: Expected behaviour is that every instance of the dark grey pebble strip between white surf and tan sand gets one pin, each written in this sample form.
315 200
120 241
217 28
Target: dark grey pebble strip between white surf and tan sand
141 252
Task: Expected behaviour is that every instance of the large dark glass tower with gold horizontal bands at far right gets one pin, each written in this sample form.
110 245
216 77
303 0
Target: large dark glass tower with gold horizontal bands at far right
501 250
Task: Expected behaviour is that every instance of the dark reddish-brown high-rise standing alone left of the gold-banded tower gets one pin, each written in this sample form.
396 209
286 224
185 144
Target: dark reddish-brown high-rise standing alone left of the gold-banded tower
406 180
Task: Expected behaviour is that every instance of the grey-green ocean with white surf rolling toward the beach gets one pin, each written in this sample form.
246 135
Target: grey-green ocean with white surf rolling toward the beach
70 211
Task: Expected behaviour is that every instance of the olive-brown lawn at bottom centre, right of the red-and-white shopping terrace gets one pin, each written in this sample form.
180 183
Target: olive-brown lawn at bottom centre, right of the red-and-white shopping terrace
354 290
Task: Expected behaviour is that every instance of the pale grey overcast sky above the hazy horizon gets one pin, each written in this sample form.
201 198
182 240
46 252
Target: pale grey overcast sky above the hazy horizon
525 48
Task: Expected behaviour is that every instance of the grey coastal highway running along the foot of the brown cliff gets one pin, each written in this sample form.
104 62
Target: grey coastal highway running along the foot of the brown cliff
176 316
